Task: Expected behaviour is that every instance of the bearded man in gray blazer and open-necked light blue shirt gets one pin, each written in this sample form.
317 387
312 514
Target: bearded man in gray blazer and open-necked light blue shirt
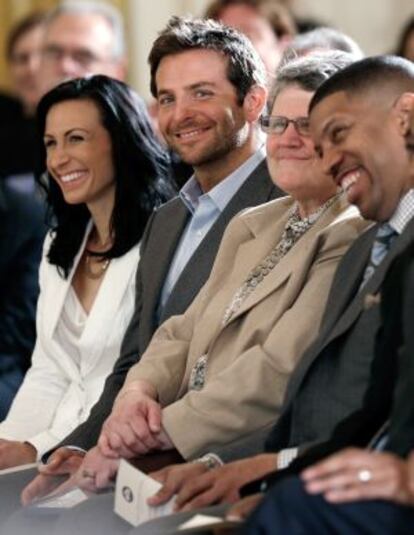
207 113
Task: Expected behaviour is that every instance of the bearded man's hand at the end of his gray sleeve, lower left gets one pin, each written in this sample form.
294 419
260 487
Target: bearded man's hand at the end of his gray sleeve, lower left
57 475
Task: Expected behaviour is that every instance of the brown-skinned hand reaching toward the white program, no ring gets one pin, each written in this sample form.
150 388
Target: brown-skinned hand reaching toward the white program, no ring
220 485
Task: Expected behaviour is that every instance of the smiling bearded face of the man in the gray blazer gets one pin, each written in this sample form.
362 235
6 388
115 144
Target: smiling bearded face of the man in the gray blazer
198 112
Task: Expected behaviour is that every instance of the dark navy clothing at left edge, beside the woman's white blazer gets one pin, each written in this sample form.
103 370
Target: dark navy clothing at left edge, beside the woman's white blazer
22 232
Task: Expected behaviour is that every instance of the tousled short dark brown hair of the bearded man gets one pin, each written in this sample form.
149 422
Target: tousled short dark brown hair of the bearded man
245 68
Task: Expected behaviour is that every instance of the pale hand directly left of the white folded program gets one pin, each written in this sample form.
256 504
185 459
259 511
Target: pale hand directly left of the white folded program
96 472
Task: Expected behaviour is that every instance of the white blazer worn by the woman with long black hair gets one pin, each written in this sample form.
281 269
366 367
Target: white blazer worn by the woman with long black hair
57 394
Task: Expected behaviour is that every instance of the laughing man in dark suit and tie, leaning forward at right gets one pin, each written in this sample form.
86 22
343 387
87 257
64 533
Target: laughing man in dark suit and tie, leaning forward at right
359 120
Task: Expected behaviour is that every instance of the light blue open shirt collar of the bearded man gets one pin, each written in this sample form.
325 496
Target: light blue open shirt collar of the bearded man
191 193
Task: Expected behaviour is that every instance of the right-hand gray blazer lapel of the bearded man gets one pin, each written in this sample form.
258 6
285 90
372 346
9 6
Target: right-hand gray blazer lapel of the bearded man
257 189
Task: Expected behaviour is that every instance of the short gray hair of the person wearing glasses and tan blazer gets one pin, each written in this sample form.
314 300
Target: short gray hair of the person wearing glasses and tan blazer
309 72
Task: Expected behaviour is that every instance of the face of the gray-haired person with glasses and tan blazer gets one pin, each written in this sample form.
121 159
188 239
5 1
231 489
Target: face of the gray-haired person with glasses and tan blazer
291 159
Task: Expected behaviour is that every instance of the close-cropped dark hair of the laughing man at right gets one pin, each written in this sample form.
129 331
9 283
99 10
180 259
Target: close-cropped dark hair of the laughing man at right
378 75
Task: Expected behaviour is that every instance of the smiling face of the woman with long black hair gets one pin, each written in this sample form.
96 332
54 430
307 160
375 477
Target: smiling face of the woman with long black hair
79 153
